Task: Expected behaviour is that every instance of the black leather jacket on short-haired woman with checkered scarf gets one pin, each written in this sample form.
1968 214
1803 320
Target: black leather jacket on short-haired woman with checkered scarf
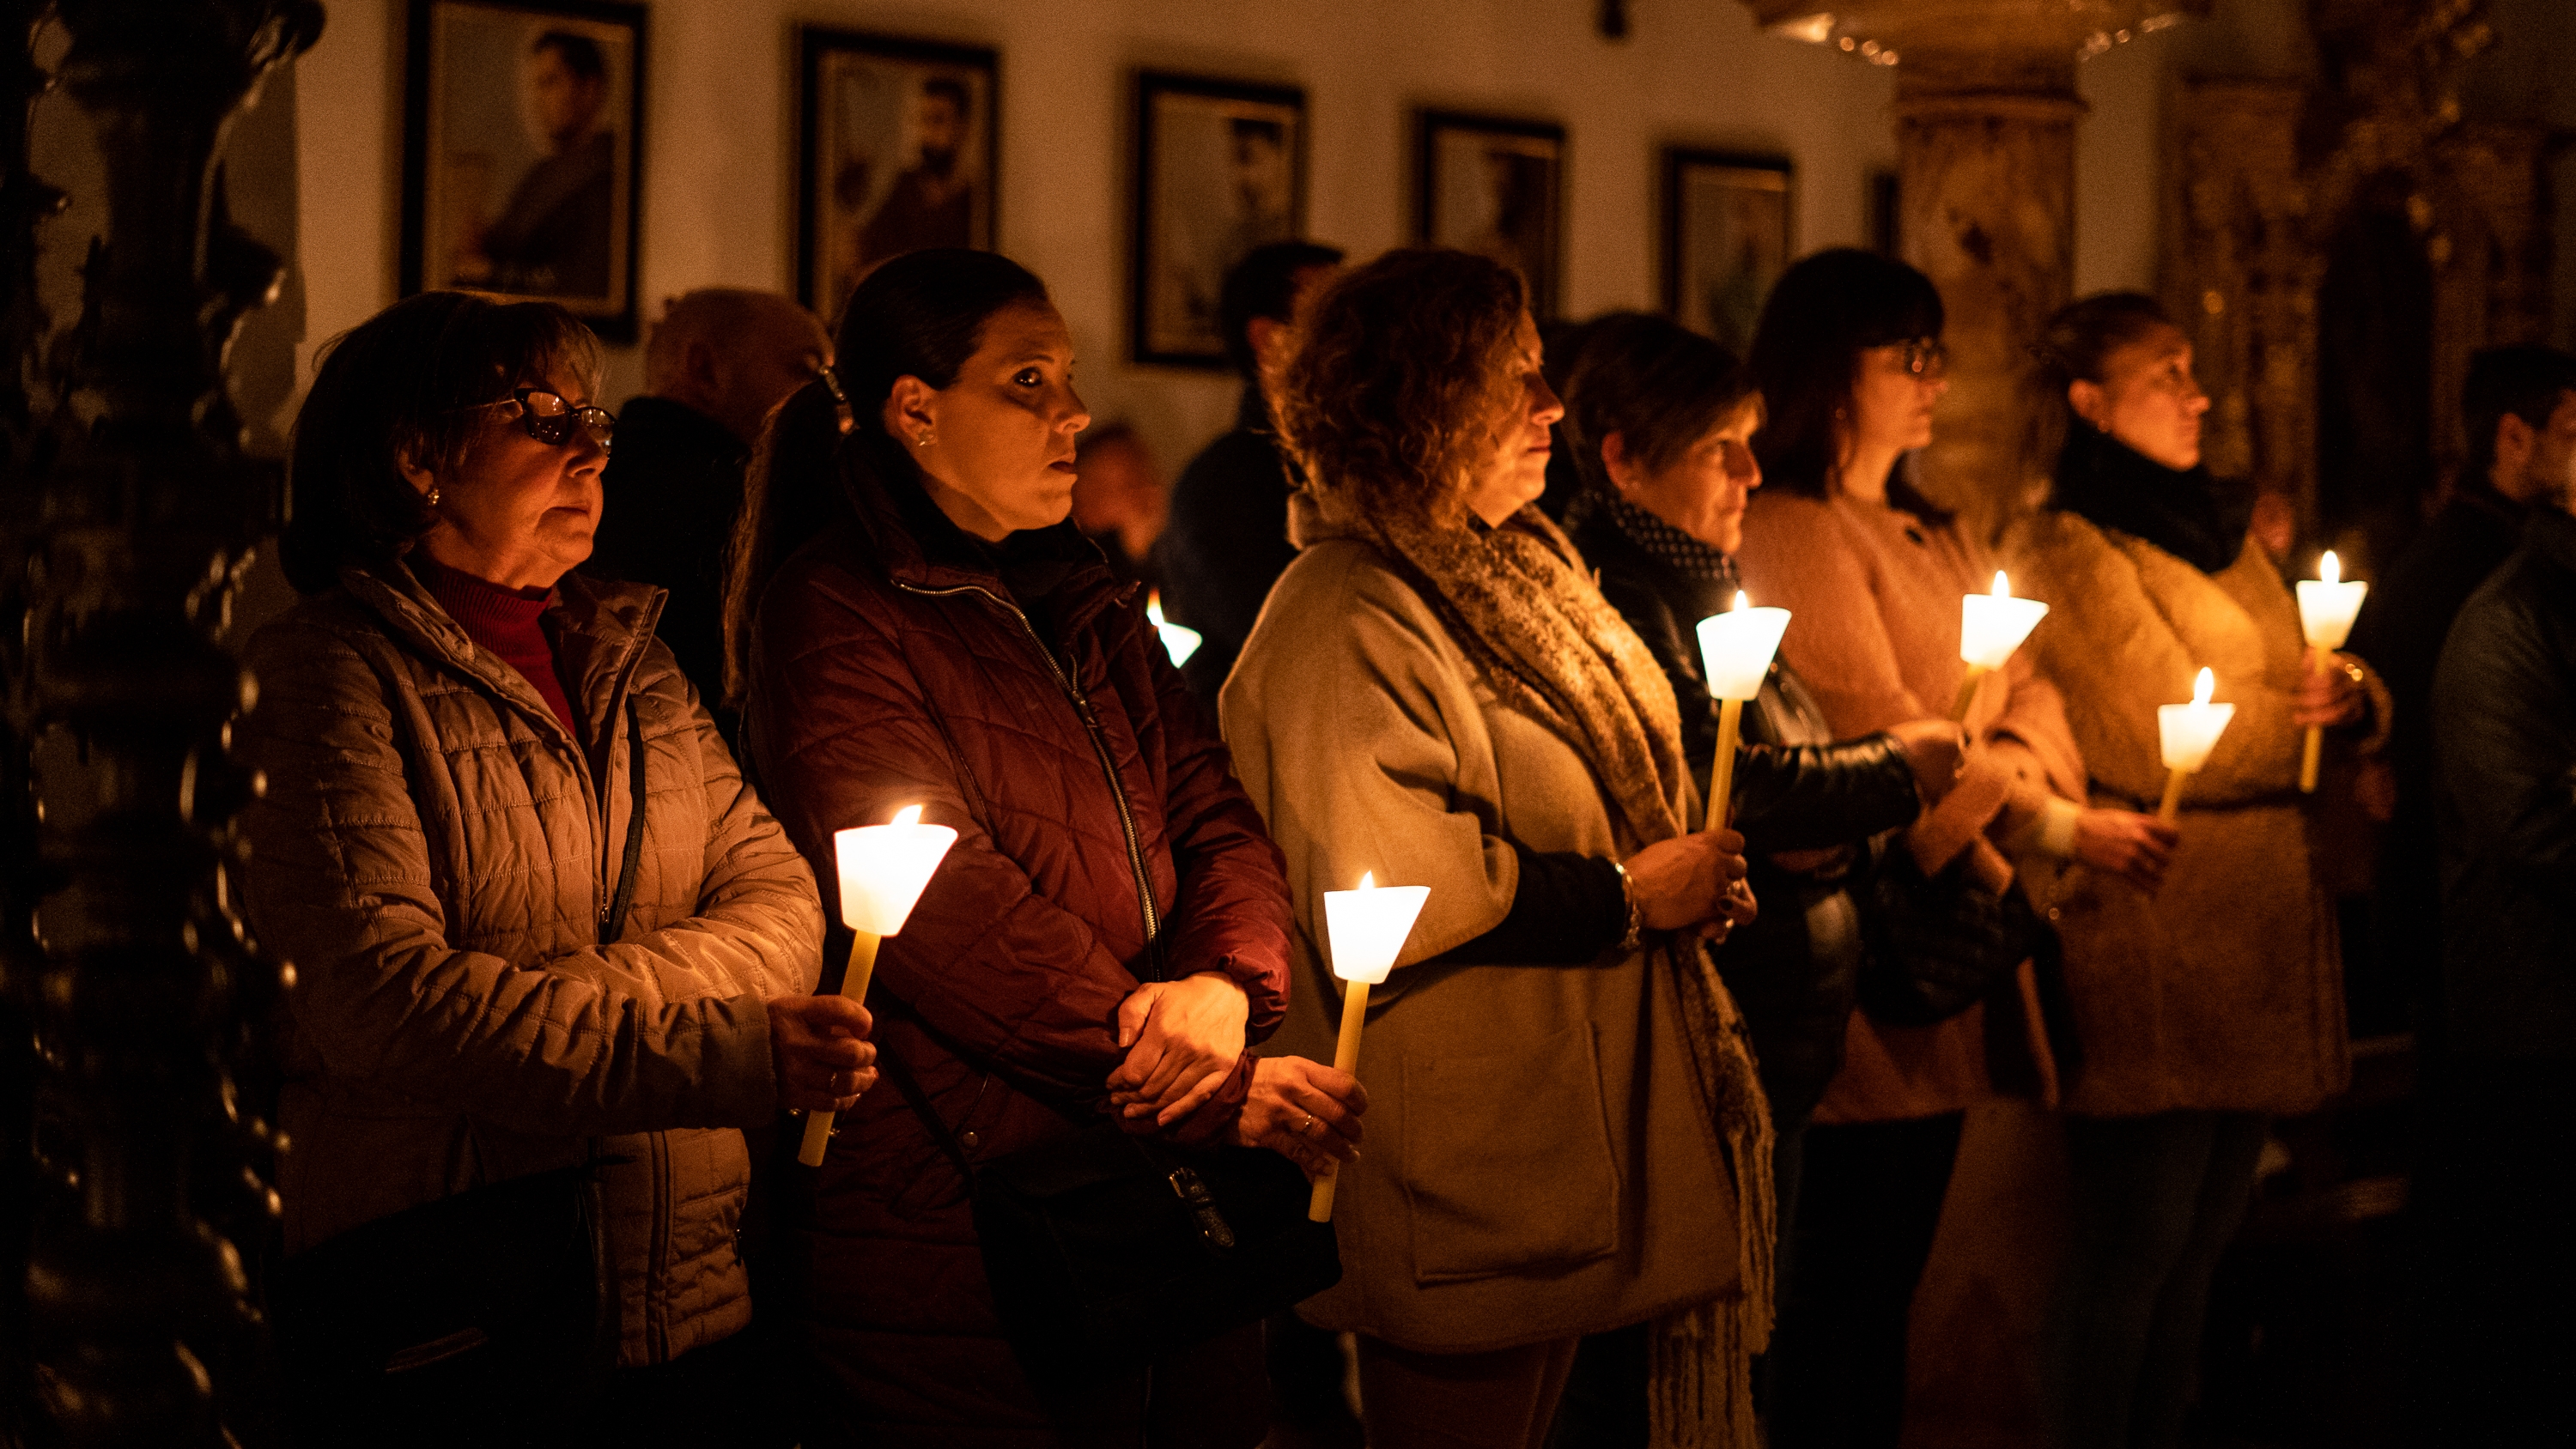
1797 969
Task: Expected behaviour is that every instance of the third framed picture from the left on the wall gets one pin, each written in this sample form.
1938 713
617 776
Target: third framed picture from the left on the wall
1220 171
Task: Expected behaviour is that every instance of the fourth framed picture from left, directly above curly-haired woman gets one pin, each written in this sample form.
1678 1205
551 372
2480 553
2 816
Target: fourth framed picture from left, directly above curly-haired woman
1495 187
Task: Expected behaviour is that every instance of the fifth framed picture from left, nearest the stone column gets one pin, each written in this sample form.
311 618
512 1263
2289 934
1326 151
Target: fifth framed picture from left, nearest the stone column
1727 241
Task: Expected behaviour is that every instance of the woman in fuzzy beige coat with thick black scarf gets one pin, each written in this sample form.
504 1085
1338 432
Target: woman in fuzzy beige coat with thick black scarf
2219 1000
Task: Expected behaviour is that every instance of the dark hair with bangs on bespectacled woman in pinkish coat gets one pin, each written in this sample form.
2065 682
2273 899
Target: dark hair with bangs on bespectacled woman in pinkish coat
1820 318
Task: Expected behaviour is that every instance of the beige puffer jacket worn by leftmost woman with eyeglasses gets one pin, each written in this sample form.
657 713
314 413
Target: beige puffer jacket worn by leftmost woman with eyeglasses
434 856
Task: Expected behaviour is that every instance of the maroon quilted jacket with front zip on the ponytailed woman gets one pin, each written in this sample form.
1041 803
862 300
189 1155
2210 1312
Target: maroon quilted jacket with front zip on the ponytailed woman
895 665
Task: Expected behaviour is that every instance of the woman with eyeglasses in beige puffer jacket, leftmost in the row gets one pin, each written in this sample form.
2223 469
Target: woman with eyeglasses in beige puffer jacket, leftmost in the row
537 915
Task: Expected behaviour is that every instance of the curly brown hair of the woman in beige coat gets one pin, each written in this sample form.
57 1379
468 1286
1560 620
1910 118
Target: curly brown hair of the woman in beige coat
1403 380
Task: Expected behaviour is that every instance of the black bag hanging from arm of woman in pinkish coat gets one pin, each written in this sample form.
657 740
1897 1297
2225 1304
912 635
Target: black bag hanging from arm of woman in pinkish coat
1941 943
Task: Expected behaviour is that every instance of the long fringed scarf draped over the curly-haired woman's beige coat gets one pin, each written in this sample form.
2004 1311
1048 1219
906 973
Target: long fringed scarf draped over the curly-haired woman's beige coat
1524 609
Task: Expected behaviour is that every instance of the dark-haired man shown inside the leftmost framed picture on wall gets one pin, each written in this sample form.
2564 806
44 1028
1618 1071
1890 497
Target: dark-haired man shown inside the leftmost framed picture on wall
553 241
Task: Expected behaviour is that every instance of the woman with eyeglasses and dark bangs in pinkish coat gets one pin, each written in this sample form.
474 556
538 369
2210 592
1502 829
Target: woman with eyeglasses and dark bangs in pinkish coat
1851 367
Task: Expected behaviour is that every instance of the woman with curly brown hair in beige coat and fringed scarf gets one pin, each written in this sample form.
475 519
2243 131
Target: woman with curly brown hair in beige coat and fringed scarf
1439 696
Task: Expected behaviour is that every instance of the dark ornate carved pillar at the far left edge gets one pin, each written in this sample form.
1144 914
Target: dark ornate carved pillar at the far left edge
125 521
